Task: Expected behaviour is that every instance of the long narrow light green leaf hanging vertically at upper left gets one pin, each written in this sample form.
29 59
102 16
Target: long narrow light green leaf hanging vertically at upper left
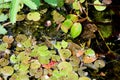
14 10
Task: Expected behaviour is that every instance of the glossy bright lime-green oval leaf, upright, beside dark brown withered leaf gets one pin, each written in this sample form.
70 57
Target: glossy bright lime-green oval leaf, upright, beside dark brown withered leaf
76 29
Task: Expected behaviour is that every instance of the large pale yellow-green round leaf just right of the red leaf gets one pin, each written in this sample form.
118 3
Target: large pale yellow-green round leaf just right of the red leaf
65 67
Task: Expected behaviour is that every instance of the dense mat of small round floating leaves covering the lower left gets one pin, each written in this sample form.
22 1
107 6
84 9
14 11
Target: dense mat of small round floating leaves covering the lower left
38 61
